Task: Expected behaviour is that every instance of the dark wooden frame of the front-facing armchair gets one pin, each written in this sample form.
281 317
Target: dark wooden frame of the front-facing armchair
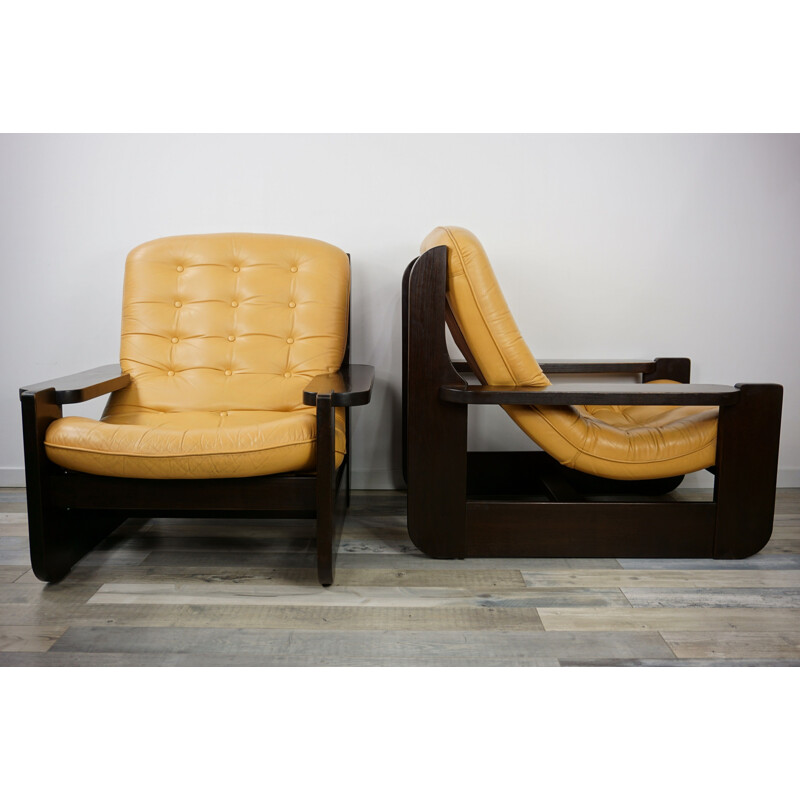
69 513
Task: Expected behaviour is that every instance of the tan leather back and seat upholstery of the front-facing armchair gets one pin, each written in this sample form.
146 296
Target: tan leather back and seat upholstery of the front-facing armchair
220 334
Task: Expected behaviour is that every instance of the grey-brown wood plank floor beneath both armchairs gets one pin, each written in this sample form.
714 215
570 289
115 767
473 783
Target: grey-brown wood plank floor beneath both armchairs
244 593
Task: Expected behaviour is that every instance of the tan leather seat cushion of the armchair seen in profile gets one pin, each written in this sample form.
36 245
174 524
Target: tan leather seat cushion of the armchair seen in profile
624 442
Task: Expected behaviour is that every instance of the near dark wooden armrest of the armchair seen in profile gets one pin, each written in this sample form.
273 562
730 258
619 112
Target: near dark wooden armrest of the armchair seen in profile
636 394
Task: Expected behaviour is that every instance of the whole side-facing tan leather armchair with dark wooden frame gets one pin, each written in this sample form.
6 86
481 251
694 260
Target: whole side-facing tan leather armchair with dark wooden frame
621 441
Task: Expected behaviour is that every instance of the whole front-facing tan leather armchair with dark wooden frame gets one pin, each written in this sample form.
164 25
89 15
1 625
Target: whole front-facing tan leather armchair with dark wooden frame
231 399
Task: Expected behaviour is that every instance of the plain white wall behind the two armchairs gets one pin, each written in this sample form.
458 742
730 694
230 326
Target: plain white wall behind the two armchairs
605 245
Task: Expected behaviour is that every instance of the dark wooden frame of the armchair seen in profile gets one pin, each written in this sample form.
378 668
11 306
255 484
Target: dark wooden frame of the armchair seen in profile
525 504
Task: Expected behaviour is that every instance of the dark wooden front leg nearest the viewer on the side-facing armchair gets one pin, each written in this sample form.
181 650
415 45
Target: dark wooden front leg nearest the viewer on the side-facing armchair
746 470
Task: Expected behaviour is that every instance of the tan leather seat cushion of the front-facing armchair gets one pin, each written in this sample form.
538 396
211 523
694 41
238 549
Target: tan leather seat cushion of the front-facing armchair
190 444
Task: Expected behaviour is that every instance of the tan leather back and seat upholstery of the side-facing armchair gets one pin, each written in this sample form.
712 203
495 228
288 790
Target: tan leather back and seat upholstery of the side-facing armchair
621 442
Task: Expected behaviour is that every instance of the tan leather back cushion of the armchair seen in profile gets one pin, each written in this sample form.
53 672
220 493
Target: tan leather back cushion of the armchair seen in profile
482 313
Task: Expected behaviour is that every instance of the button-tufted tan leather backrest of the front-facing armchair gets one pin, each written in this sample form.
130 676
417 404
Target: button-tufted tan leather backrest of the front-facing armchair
240 321
